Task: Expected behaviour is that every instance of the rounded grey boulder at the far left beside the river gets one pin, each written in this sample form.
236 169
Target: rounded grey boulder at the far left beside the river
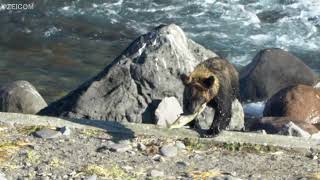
20 97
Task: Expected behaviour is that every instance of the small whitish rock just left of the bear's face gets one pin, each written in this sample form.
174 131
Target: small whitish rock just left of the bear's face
168 111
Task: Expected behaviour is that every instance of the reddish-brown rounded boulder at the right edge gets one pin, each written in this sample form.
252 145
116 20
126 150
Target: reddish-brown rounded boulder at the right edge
299 102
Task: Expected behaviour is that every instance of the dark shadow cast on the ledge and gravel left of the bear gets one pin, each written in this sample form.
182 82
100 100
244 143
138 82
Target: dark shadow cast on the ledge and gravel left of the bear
117 130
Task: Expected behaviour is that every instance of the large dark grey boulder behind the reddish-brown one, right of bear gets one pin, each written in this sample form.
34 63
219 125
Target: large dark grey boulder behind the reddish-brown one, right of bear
270 71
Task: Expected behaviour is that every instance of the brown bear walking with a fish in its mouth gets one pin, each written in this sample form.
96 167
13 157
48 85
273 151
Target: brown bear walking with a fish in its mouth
215 82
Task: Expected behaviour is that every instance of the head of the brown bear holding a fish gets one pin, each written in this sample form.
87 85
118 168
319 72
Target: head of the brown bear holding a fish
200 88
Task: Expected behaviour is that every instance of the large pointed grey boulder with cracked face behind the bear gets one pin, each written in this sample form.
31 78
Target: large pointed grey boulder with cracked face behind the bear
131 87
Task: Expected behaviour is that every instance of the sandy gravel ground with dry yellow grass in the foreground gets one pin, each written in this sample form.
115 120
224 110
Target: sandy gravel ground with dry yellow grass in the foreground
88 154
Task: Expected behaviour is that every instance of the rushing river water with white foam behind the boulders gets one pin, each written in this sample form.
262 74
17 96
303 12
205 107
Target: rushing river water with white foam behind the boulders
59 44
